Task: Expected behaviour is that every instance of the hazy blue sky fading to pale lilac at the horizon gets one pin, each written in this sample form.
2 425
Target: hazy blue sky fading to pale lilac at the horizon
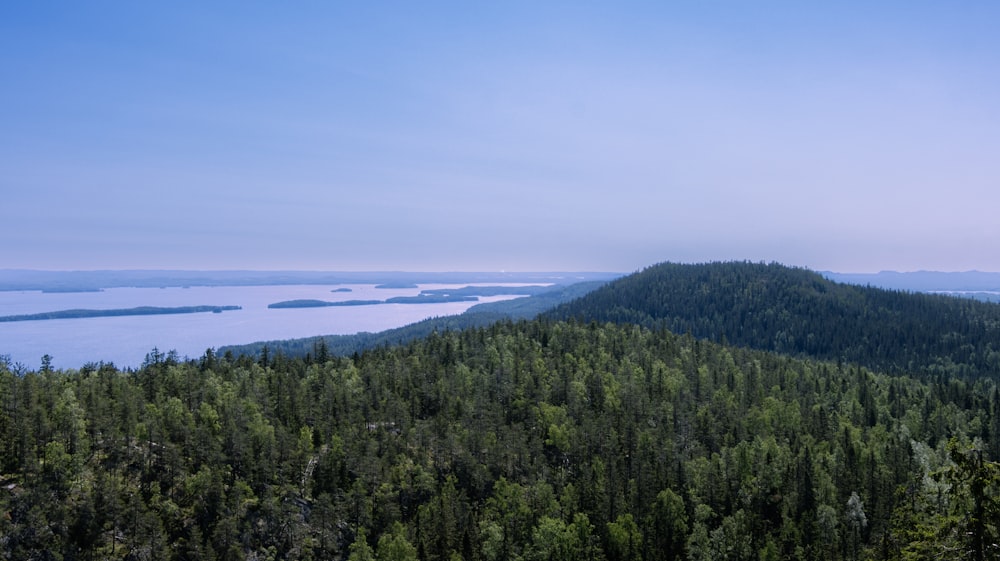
521 136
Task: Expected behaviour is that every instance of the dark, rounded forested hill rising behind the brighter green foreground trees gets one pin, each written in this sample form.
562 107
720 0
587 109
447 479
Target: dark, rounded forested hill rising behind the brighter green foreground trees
799 312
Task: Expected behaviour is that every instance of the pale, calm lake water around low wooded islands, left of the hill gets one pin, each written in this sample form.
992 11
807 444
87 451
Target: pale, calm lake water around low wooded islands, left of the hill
126 340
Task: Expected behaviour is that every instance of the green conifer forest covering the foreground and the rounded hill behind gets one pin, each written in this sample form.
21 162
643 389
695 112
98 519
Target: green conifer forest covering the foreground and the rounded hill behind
559 438
